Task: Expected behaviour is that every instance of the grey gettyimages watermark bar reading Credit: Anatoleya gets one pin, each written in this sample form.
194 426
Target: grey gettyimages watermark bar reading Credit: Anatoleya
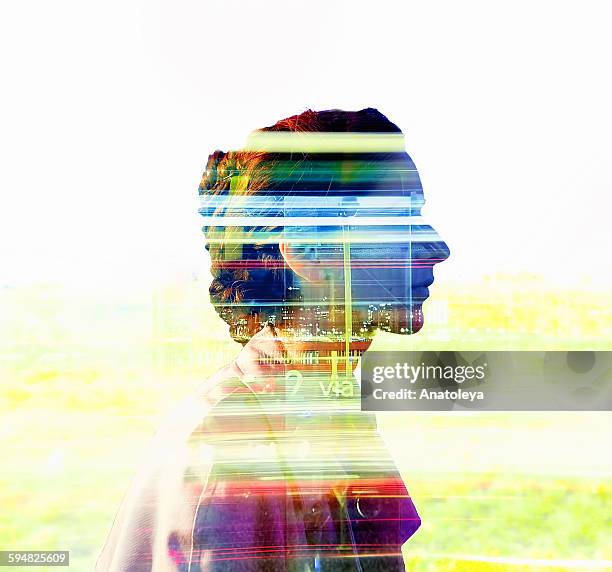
495 381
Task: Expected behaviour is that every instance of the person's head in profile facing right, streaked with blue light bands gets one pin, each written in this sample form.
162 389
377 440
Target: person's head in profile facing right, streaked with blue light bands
315 226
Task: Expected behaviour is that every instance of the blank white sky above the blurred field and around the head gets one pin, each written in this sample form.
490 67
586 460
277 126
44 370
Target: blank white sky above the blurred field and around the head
110 109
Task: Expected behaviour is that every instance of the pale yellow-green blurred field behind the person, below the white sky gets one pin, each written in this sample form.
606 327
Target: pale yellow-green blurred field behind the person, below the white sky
83 383
